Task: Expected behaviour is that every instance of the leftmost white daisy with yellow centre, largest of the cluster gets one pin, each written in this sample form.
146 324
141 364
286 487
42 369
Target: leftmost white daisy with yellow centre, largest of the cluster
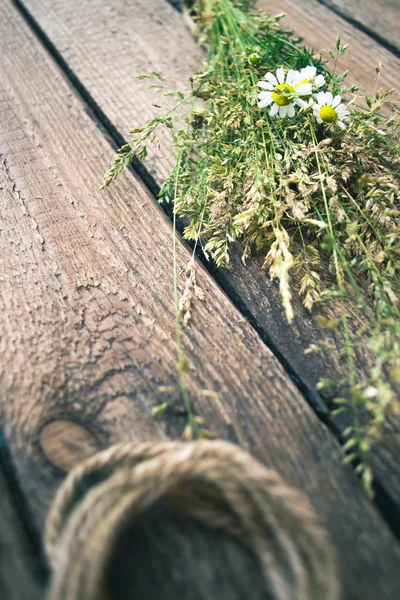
283 92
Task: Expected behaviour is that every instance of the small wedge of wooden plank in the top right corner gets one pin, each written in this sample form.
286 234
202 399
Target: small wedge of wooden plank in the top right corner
379 17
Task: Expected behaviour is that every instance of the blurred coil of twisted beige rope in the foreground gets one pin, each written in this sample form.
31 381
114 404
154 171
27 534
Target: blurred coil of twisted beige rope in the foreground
214 484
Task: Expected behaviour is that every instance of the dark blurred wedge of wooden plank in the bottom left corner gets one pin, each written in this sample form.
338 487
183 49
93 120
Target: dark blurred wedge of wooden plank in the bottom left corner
18 571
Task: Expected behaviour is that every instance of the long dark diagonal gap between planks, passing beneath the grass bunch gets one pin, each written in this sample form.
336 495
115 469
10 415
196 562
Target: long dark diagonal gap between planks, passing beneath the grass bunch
383 501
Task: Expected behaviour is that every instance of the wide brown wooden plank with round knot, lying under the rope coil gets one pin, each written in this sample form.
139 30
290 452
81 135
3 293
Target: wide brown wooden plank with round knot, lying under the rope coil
87 324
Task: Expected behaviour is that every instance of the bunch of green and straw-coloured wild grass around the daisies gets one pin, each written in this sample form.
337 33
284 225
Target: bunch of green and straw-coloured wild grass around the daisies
320 202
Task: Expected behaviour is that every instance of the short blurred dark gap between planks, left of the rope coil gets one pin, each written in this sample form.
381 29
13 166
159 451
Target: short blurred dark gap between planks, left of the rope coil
22 508
